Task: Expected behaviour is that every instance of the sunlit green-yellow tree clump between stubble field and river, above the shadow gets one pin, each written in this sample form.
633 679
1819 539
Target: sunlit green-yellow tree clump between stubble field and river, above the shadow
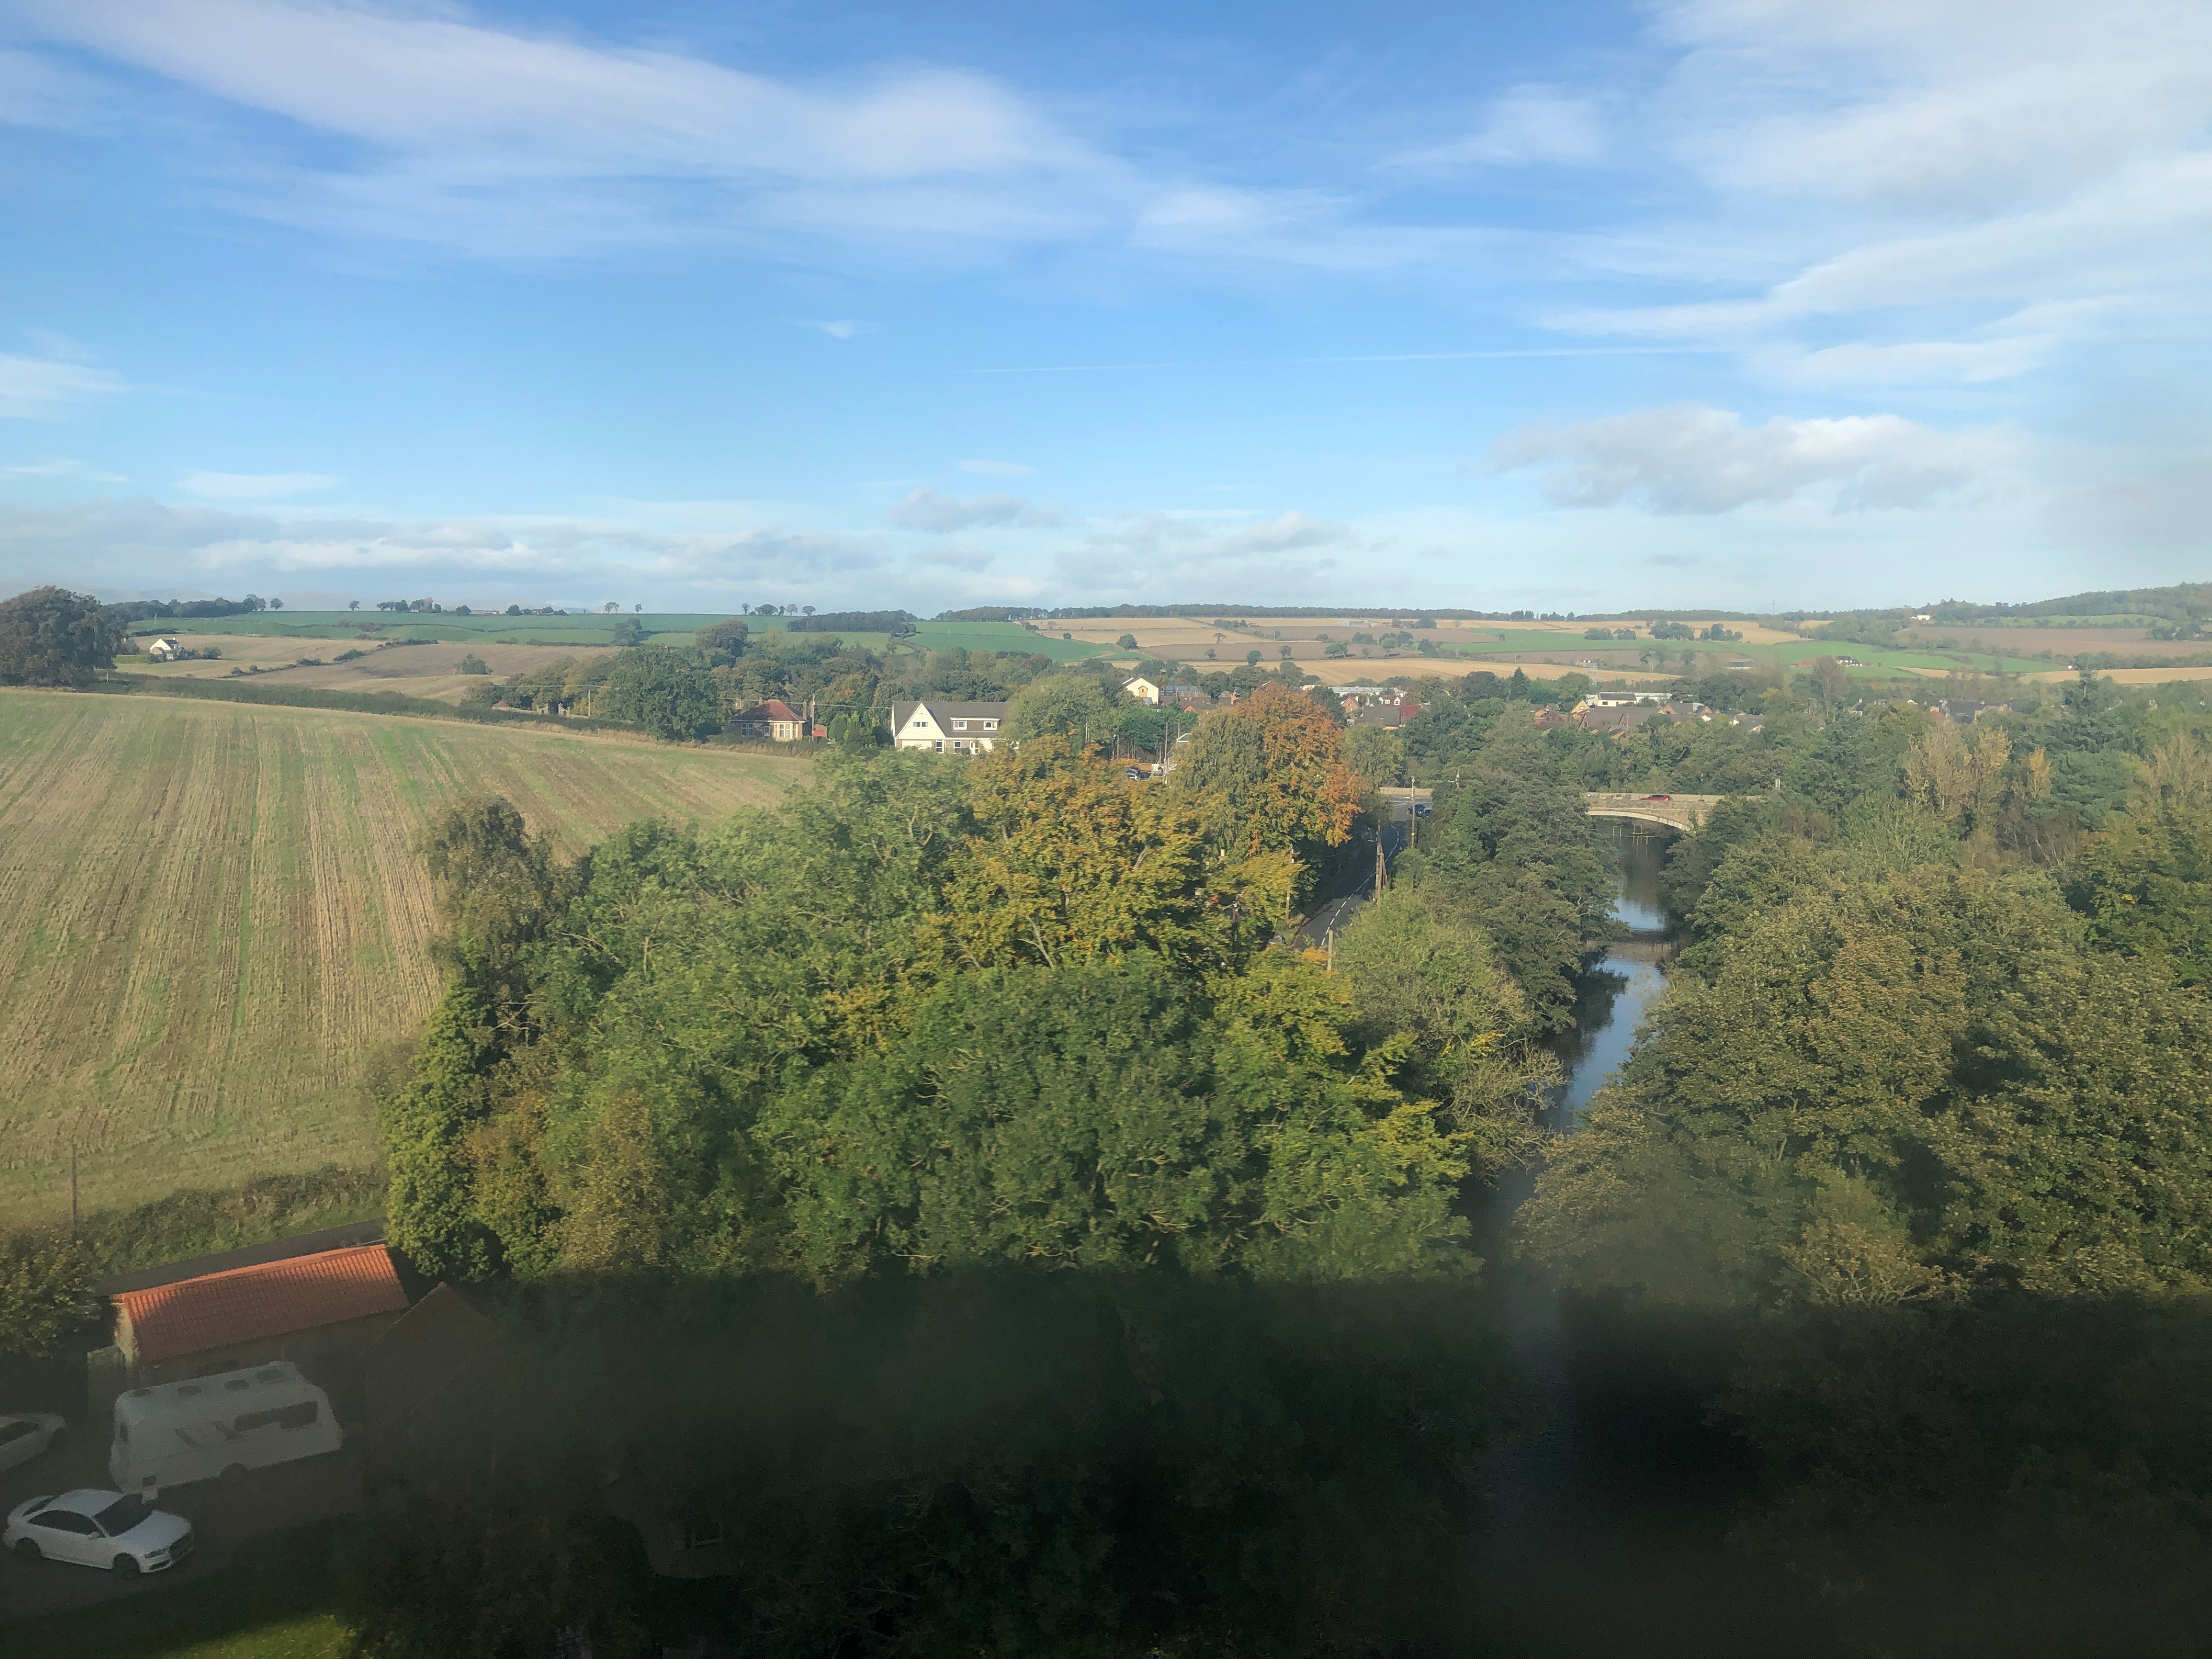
800 1043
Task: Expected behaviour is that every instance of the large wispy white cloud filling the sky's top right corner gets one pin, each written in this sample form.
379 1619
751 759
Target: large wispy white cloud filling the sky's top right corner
1928 194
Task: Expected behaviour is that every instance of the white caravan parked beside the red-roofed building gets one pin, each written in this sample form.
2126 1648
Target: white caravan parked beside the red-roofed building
220 1426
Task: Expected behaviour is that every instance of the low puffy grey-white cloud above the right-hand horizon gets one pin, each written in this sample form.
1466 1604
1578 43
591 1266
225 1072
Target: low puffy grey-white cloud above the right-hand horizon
1691 459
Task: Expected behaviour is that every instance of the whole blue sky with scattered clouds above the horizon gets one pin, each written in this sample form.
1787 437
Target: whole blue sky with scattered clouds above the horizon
1720 302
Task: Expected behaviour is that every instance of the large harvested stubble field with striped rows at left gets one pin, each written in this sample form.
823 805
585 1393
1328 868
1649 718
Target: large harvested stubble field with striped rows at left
213 919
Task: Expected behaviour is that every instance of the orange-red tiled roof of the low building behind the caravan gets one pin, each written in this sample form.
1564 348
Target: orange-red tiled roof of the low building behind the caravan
273 1300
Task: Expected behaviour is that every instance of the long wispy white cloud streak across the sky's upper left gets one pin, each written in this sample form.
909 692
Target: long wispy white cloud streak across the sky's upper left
517 145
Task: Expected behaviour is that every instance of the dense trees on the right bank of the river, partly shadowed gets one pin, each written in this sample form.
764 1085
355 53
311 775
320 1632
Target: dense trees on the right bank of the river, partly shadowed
1919 1147
